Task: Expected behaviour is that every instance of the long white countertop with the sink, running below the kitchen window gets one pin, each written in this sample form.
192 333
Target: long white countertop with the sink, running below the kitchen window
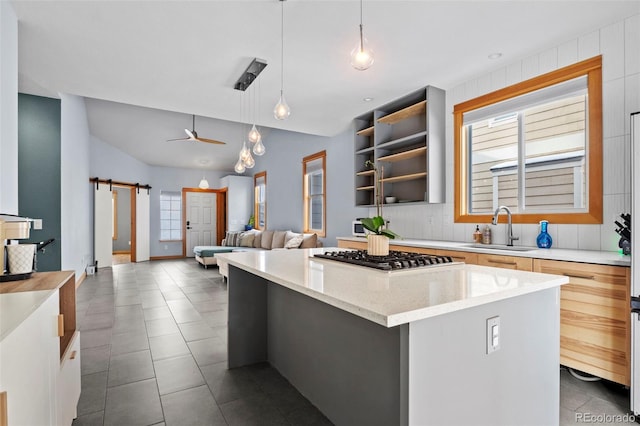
584 256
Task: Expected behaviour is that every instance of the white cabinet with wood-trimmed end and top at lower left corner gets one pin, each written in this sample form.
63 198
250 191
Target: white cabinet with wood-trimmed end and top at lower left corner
39 350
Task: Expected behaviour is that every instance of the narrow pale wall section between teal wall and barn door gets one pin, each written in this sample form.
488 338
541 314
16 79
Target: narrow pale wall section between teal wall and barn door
76 200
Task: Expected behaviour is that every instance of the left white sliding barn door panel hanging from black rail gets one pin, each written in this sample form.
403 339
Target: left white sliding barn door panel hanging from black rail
103 225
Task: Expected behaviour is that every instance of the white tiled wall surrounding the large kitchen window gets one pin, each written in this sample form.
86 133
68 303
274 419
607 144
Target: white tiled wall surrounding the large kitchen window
619 44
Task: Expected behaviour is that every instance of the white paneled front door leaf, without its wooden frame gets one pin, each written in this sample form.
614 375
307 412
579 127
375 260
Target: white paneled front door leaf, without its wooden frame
201 220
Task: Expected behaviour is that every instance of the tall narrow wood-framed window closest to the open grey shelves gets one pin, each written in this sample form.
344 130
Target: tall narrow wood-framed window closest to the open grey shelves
314 196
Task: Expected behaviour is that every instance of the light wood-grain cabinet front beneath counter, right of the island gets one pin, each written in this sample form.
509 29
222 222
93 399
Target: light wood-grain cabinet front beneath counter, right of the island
594 318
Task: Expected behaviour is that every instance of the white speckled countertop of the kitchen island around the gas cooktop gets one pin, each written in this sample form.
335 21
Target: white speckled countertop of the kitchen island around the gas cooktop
389 298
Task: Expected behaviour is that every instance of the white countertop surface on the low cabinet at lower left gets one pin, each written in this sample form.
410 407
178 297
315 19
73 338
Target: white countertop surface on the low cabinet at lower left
16 307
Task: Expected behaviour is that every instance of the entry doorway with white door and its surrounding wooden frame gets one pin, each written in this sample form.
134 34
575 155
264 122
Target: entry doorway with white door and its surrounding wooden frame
205 218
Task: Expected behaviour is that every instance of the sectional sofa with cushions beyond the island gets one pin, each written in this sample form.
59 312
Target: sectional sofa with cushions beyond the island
254 240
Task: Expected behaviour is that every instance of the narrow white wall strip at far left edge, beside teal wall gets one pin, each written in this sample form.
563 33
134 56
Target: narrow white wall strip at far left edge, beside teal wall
8 109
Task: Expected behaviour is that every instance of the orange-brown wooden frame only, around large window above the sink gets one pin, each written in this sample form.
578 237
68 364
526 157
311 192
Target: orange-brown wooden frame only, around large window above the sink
592 69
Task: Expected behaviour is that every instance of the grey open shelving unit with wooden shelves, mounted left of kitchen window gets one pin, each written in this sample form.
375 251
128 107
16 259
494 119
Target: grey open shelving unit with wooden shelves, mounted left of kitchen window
406 137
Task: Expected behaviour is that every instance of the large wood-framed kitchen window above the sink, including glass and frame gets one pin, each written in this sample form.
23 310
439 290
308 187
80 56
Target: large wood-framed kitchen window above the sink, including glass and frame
535 147
